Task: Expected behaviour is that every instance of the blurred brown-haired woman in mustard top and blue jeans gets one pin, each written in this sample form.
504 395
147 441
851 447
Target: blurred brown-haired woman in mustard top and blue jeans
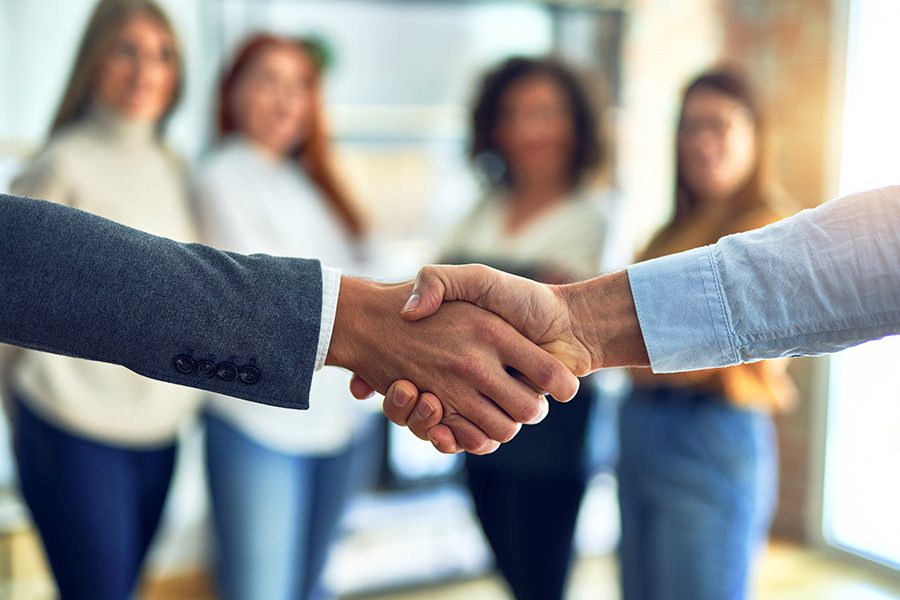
698 466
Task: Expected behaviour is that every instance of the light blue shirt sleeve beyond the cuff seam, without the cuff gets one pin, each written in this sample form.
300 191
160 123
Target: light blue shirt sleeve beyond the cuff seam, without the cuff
822 281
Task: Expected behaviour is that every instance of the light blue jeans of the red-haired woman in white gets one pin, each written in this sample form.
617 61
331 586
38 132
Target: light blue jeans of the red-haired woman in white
274 514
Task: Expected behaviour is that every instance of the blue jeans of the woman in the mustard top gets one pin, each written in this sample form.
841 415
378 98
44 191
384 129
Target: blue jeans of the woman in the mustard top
697 490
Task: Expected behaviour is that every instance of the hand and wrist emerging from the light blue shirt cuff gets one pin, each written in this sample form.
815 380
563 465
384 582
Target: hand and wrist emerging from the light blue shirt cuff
588 325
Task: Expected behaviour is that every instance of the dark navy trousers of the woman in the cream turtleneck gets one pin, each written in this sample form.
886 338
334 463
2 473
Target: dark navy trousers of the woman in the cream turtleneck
96 506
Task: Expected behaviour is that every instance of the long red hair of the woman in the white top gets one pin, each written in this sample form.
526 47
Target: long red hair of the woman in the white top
314 153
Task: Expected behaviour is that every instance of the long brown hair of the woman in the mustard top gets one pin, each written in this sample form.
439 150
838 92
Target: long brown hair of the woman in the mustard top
757 193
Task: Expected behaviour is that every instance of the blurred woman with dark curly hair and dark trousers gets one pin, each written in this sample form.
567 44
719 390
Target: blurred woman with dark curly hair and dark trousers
537 142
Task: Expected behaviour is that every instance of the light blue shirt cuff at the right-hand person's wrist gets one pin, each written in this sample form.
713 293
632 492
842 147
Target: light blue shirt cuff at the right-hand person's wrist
682 312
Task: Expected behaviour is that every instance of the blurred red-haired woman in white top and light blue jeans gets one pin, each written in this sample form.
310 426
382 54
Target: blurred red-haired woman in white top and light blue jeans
279 479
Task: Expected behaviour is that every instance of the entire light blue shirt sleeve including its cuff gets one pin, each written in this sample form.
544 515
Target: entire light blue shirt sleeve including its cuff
818 282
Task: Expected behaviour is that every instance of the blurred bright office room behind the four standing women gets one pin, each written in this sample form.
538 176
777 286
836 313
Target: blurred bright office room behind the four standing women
401 80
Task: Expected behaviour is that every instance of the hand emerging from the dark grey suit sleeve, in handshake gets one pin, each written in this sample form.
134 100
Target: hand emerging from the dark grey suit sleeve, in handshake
460 355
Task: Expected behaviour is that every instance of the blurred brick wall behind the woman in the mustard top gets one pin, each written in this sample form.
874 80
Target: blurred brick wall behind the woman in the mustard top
786 44
